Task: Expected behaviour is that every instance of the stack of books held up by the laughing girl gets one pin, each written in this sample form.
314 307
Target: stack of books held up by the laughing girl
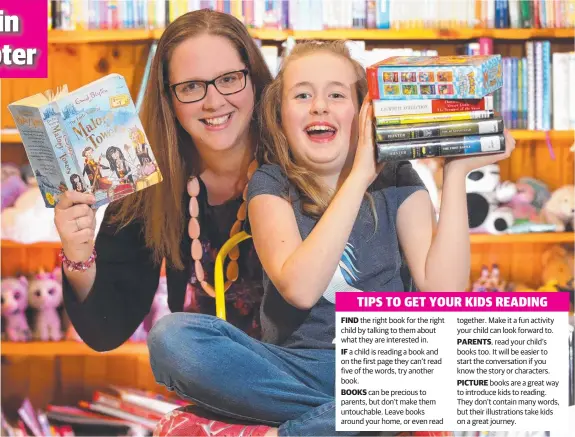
433 106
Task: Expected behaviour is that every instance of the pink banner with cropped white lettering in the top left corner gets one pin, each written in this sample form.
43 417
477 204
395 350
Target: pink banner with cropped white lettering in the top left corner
23 39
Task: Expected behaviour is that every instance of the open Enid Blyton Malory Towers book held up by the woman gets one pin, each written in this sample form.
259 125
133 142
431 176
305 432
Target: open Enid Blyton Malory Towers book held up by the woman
88 140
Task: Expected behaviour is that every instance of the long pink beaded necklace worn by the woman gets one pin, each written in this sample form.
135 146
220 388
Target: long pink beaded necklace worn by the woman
232 269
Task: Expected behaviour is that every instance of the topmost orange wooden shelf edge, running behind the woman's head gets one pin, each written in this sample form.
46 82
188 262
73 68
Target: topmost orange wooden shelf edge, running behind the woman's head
118 35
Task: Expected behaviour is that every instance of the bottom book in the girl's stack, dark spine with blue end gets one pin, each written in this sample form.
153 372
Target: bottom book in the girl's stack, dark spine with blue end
457 146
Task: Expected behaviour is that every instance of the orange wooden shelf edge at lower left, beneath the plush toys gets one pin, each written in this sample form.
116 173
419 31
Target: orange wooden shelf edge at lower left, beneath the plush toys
67 348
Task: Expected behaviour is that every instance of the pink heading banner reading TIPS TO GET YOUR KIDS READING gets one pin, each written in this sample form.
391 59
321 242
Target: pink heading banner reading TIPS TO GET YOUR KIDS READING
456 302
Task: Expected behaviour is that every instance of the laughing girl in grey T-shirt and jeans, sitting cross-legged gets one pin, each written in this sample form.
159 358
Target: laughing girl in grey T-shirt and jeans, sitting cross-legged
324 218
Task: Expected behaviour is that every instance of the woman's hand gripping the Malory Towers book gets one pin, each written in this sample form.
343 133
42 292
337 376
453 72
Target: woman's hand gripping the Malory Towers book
76 224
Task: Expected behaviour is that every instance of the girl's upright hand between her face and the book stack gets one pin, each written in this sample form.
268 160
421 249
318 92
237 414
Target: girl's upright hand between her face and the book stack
364 164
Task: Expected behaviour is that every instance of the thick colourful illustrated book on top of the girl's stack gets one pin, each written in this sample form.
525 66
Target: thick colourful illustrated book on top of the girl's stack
435 77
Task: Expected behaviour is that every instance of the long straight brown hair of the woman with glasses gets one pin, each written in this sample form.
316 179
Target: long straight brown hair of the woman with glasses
161 207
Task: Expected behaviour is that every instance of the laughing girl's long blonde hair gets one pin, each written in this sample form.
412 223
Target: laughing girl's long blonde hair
314 197
